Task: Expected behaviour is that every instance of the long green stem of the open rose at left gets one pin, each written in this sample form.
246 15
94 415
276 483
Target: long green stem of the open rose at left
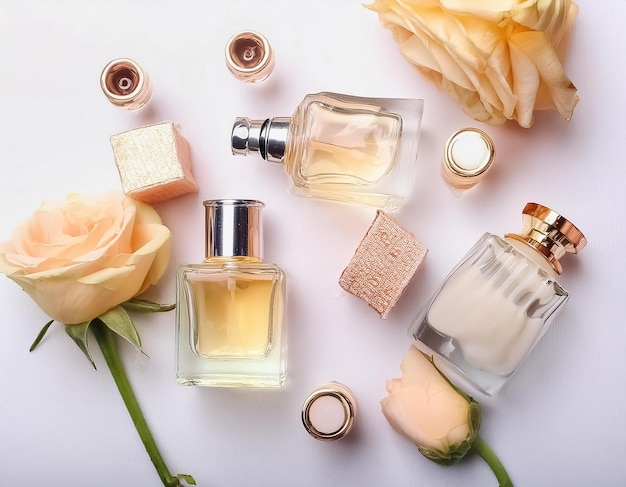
107 342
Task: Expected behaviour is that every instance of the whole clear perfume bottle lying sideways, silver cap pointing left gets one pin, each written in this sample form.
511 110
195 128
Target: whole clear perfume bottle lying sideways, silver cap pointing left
341 147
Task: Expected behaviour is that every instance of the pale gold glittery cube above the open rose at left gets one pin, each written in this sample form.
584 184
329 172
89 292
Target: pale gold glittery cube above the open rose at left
154 162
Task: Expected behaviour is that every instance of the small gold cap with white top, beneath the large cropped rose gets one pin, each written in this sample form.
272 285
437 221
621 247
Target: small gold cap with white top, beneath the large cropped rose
467 155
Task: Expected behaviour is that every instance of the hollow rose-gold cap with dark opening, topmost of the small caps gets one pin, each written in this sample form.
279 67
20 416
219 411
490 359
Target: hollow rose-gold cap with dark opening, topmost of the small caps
249 57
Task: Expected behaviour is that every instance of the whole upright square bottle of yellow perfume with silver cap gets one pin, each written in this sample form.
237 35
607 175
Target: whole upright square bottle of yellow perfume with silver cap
230 307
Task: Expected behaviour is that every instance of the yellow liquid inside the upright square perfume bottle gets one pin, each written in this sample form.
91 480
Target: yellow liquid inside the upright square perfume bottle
233 316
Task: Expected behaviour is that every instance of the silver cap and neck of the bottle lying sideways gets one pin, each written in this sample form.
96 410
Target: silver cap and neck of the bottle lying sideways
267 137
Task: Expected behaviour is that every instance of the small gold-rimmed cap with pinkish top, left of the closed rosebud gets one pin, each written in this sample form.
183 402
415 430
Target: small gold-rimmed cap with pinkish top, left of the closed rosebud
329 412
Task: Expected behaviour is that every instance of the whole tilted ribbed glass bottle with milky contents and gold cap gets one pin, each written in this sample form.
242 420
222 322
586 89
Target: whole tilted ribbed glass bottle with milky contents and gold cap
499 300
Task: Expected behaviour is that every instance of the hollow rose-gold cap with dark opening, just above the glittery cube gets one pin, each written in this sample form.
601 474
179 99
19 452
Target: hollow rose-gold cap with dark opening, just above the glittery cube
125 84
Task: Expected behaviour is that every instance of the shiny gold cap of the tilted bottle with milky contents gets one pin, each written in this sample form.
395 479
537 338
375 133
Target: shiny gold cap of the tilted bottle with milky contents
549 233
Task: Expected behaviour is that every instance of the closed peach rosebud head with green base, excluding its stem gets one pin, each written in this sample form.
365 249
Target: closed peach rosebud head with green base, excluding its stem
427 409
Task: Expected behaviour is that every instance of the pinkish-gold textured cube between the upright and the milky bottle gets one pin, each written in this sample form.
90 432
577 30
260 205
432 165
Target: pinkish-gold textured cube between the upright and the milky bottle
383 264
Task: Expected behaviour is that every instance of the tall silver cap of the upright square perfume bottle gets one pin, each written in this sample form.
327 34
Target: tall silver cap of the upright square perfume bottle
233 228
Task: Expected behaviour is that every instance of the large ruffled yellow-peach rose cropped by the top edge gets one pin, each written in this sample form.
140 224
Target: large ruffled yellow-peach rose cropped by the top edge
498 58
